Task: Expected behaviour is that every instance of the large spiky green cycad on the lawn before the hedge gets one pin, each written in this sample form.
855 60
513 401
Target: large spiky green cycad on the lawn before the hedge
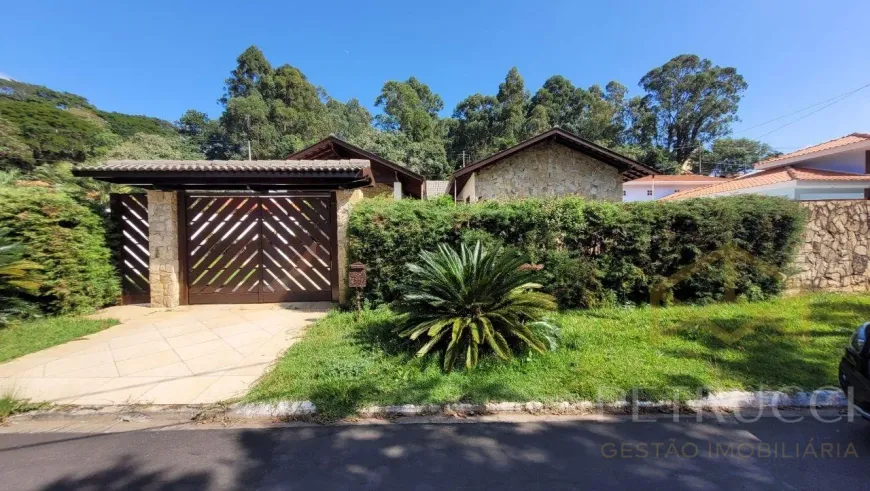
474 298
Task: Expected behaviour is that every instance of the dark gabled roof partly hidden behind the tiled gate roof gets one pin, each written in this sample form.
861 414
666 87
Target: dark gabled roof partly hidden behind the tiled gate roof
333 147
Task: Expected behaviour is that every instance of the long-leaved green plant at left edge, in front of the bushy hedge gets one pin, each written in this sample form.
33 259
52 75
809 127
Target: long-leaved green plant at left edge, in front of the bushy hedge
17 278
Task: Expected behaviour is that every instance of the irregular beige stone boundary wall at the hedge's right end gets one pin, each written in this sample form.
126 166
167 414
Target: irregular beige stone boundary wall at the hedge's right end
834 253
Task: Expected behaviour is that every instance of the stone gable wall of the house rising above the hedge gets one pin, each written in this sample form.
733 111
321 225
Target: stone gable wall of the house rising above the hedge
549 169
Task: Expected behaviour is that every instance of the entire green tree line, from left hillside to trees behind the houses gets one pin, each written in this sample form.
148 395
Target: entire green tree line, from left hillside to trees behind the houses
686 104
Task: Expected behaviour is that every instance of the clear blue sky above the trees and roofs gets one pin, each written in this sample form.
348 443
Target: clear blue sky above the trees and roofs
160 58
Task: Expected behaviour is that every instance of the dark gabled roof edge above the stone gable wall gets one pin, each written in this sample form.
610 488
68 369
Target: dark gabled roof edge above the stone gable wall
631 169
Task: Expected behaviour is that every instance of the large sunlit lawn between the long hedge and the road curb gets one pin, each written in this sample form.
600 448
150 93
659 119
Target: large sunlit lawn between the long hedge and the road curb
342 365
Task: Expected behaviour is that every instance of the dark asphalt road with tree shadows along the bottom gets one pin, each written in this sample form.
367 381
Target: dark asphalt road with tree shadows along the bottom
768 454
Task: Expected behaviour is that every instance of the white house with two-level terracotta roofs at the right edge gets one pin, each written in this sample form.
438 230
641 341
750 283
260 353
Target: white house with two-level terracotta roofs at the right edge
834 170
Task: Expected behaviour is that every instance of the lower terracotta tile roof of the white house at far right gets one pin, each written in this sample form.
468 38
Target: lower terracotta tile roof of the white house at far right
767 177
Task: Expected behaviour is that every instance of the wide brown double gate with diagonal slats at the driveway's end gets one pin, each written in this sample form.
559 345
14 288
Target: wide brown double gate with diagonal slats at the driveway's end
249 249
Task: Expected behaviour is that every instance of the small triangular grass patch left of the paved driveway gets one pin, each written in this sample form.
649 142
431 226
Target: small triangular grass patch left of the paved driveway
29 336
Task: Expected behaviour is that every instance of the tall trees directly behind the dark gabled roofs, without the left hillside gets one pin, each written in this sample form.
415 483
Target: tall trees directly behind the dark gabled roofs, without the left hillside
686 103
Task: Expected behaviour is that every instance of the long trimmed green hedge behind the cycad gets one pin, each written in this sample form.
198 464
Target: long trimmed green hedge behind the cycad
594 253
